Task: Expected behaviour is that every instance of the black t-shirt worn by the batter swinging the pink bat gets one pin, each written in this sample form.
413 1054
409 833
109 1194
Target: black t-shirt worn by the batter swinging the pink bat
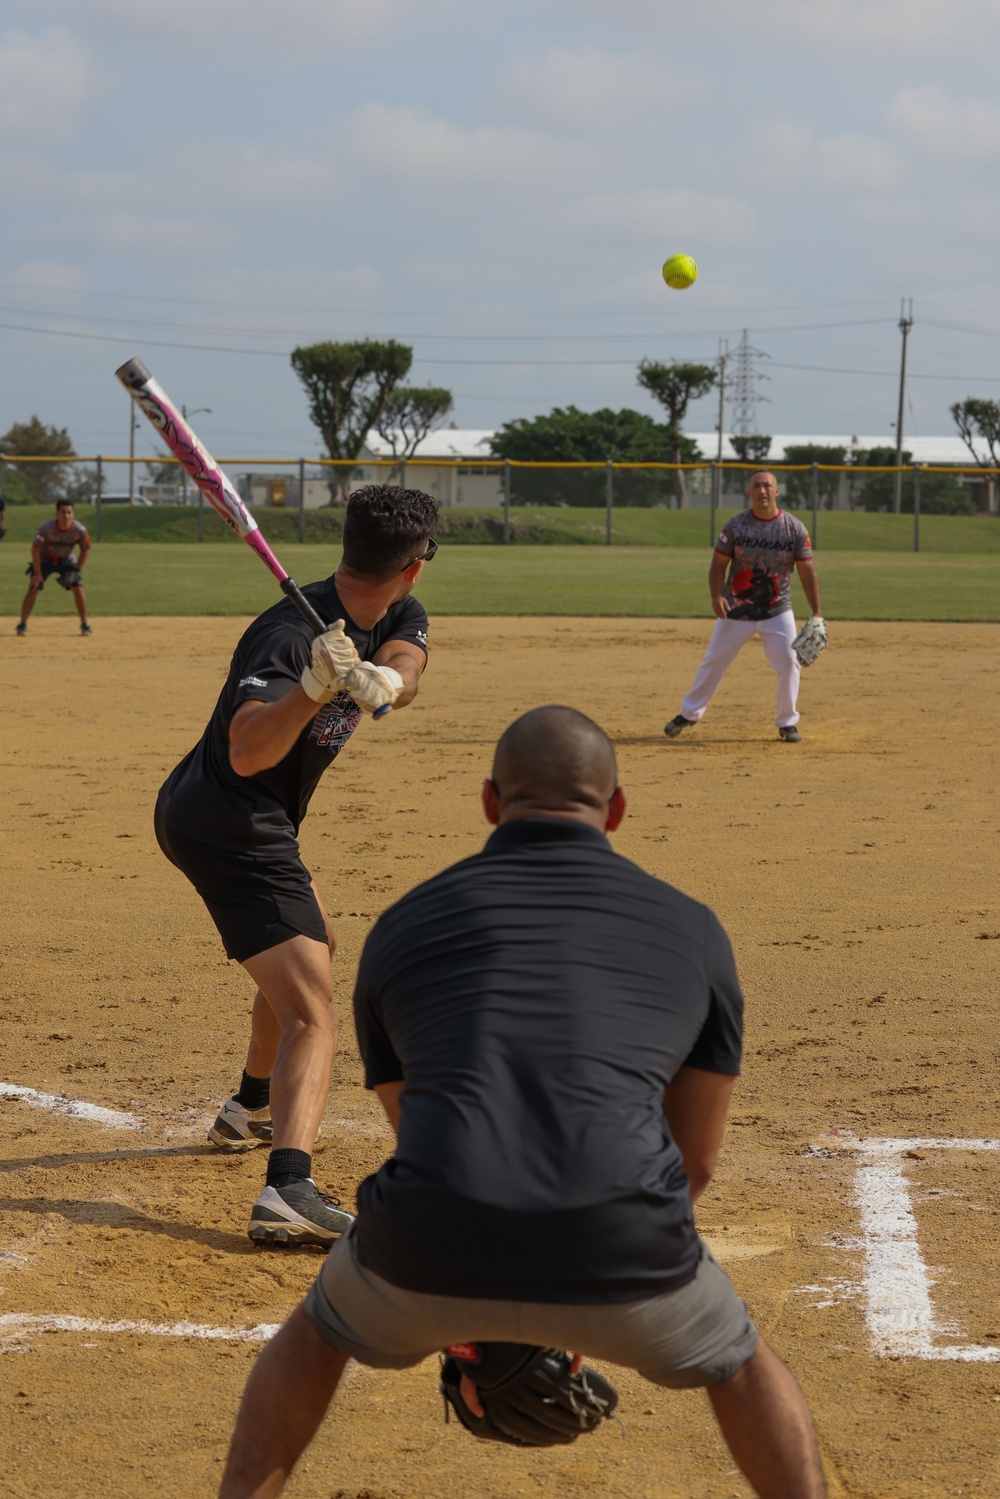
205 798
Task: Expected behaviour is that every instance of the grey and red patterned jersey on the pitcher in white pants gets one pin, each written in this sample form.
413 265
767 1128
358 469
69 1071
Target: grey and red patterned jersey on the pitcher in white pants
764 554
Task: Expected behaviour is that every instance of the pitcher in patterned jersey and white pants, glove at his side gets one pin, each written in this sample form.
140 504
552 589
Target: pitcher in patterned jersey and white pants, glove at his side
761 549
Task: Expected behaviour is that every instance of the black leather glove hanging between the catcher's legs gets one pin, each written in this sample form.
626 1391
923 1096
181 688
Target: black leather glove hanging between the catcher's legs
528 1393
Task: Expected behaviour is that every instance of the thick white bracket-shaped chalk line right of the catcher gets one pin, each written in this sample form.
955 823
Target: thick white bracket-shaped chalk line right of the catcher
899 1306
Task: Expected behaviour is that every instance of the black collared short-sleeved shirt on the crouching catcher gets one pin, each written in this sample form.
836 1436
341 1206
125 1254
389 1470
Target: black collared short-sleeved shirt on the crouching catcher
537 999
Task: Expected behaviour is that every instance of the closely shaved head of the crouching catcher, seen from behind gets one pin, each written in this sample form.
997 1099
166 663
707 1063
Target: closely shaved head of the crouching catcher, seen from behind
554 762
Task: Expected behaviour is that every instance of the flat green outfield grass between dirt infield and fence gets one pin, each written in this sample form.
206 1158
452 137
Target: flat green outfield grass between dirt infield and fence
660 582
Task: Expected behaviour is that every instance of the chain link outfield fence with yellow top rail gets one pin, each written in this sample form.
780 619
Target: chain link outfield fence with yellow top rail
500 501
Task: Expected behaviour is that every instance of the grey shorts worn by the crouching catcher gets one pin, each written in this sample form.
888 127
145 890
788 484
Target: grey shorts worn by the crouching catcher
699 1335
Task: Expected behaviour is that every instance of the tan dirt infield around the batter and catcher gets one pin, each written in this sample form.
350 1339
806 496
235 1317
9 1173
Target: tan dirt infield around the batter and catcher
858 878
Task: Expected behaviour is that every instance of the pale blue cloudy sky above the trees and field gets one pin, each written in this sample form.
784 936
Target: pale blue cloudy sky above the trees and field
212 184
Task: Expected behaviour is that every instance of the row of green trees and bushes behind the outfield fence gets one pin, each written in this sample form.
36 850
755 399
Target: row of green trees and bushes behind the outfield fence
359 387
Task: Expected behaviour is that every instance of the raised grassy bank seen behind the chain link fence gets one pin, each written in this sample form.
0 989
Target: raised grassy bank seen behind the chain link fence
839 531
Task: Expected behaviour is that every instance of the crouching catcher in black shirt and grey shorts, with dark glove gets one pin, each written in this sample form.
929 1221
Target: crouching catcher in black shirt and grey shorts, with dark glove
555 1038
